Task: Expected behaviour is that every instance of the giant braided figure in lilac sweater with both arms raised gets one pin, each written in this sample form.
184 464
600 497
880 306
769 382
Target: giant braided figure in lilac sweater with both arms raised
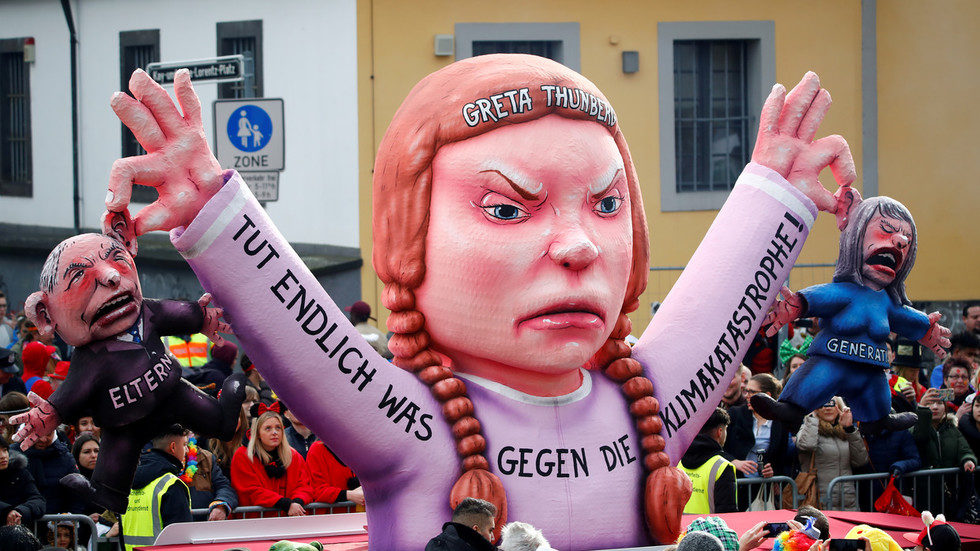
510 235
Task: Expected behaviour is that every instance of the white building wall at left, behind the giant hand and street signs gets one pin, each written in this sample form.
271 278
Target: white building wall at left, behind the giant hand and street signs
309 52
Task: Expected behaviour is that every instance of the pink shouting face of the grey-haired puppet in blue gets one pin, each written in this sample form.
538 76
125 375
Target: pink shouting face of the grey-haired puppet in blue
886 244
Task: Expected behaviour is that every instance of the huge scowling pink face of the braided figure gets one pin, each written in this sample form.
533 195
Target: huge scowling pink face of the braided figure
529 248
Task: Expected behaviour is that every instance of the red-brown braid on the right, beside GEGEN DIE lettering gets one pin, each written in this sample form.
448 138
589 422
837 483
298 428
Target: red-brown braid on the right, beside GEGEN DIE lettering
666 489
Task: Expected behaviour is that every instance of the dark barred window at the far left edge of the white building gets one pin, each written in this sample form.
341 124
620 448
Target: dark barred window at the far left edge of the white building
16 174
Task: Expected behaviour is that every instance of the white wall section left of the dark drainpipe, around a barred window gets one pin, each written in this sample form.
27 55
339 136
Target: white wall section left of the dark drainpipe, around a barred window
51 204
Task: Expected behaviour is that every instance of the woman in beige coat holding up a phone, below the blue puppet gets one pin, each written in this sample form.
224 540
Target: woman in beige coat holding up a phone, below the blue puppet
829 434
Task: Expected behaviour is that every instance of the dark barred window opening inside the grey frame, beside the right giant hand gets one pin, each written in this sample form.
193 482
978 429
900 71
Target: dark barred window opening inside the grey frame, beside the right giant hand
711 115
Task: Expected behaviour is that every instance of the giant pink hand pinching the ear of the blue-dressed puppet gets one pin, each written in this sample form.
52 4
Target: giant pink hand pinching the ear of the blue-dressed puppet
785 143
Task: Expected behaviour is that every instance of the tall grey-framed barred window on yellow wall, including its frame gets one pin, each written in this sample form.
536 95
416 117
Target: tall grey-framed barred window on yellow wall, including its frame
713 79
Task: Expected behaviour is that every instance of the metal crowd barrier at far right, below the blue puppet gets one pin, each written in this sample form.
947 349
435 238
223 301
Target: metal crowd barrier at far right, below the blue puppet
935 490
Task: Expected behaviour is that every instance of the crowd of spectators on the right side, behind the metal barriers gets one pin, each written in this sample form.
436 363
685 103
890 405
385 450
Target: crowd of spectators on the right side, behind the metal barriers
830 444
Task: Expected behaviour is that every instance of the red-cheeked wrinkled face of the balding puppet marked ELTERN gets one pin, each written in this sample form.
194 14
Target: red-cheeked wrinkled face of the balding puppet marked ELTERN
96 292
